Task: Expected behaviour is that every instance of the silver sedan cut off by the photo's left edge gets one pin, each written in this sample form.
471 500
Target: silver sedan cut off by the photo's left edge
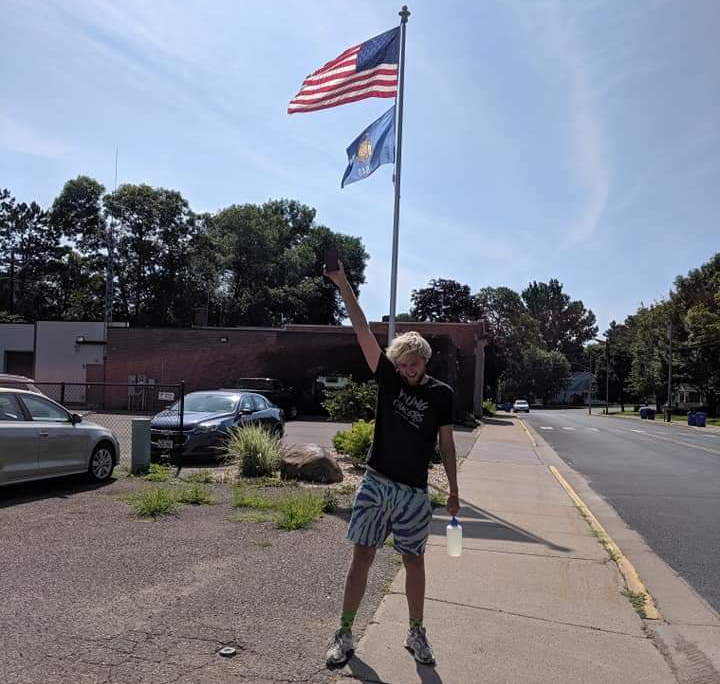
40 439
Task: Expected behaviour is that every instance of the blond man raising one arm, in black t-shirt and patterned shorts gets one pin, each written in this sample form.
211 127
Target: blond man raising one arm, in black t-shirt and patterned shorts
412 410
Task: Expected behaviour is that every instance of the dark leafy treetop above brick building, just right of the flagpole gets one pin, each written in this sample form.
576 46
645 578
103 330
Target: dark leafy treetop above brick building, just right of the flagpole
445 301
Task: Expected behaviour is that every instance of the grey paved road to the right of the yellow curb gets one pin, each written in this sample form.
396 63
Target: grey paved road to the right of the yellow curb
664 481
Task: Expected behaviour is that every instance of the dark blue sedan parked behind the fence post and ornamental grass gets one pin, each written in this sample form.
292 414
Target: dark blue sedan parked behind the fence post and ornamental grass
207 419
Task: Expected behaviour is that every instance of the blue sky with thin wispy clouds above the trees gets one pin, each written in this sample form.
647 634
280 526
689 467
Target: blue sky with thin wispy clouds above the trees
548 138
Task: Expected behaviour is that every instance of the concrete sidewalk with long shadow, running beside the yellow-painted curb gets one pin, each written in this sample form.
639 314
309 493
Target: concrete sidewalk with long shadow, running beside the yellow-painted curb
533 598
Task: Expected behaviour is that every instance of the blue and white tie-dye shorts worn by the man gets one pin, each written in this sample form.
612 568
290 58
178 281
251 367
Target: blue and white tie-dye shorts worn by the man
382 506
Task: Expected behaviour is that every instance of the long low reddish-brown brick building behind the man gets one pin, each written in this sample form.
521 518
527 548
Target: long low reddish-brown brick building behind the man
208 358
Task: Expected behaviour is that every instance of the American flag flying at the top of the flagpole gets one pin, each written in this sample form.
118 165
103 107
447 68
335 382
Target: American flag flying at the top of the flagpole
366 70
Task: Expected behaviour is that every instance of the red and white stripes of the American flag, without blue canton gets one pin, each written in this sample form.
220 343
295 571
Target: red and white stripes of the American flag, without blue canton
338 83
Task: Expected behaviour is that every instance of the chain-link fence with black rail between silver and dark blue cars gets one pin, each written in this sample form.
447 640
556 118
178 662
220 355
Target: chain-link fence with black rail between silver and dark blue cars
115 405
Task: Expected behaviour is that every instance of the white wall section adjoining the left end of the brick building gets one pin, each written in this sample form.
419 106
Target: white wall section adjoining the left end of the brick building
59 357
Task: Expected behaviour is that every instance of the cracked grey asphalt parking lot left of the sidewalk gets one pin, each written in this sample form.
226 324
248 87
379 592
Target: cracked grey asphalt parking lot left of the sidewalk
91 593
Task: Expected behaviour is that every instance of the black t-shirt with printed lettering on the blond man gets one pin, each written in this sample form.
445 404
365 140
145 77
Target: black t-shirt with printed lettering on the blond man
406 424
